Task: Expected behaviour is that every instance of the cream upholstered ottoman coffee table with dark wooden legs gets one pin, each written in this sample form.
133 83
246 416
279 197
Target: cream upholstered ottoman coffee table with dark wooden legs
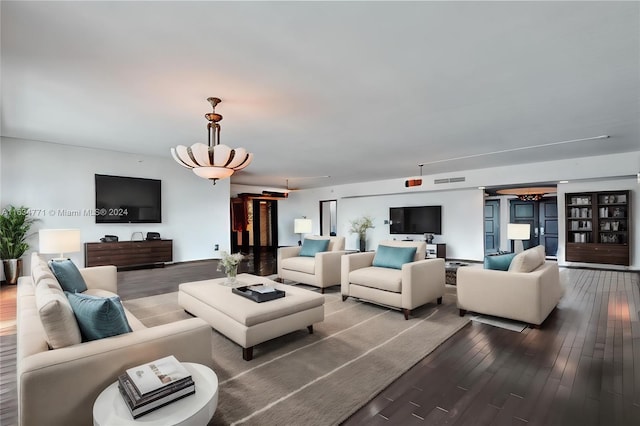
246 322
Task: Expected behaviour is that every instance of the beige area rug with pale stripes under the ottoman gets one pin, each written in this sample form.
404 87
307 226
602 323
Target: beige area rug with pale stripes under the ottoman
320 378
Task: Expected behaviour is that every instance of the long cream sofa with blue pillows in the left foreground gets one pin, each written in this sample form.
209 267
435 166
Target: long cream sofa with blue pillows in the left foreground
59 386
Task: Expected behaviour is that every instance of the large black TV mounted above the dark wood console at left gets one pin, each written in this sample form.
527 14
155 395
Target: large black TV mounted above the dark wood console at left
128 200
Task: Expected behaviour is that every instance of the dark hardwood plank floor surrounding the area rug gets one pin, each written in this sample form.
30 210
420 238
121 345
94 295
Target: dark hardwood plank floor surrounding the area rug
582 367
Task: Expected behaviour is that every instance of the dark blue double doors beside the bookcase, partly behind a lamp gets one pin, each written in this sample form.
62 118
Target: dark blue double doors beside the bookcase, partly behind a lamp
542 216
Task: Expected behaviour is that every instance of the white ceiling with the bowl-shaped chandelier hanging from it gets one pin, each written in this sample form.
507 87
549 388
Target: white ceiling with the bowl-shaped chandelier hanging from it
359 91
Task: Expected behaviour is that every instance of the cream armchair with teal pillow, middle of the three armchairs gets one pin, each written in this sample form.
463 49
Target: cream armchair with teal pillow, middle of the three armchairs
416 284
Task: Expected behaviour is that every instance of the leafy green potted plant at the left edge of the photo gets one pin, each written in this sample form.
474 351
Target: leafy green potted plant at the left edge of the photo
14 226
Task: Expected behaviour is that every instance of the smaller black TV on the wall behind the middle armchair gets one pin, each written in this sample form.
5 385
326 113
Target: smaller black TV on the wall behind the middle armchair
415 220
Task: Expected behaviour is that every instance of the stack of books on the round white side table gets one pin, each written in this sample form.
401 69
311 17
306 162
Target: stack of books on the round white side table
153 385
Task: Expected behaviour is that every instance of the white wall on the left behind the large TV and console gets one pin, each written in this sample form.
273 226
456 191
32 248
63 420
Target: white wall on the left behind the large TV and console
49 177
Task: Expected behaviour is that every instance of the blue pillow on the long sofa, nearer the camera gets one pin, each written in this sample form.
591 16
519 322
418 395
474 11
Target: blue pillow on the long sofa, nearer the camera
98 317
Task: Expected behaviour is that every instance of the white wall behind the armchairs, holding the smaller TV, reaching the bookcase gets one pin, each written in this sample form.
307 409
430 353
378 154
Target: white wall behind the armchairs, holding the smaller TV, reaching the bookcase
463 203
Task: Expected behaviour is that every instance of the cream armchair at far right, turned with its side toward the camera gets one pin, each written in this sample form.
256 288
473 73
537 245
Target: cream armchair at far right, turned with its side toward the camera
527 292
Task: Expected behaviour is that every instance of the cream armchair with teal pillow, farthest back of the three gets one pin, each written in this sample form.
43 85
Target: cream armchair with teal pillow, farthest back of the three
322 270
